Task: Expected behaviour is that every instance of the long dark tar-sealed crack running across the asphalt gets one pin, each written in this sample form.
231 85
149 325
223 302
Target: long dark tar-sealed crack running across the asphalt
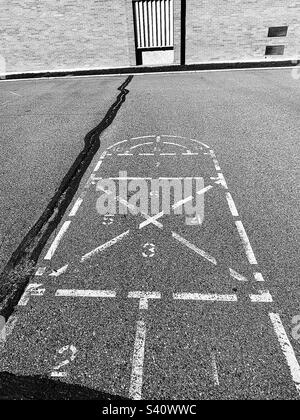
20 267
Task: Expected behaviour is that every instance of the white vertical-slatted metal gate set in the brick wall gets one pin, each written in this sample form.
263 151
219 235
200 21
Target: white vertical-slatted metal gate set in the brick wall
154 26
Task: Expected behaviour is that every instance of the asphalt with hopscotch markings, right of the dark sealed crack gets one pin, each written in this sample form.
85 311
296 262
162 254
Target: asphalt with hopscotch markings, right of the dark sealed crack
167 307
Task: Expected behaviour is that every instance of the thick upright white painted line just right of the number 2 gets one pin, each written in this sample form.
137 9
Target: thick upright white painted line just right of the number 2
136 383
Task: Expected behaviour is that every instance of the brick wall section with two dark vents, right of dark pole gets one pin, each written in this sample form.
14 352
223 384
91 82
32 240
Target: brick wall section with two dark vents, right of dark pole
223 30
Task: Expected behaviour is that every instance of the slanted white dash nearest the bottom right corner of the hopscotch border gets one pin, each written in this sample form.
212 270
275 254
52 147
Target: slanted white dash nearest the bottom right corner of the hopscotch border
287 349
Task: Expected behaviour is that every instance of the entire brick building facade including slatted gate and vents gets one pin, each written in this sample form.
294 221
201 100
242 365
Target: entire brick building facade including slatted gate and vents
42 35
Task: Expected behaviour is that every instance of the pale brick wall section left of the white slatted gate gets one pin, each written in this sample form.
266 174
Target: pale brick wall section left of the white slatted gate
65 34
